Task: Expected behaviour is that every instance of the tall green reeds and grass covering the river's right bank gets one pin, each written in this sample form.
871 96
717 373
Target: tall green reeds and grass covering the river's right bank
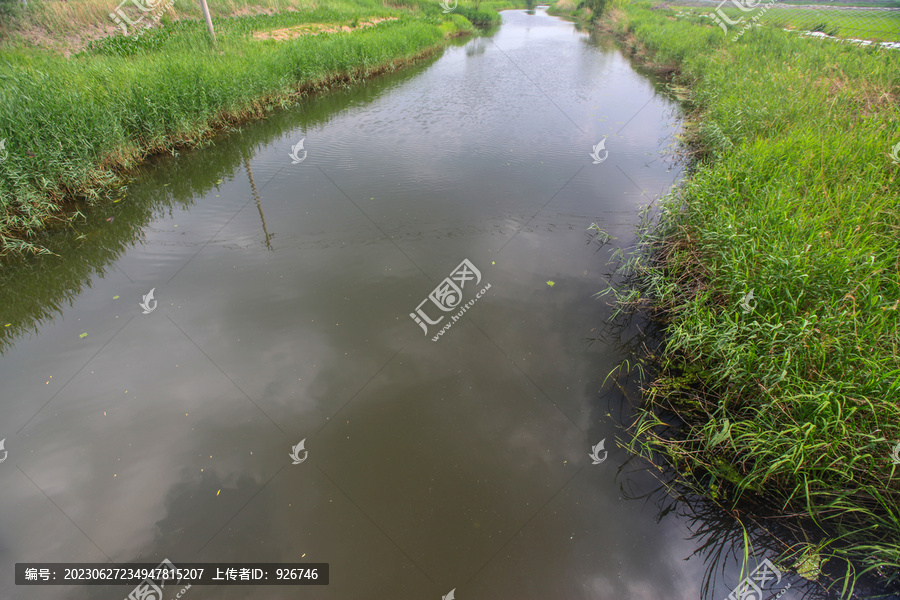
775 269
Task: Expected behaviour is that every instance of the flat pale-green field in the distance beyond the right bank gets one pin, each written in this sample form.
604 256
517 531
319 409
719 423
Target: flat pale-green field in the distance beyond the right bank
877 25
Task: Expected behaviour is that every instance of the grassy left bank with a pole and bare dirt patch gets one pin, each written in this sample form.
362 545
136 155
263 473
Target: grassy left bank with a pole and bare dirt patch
72 124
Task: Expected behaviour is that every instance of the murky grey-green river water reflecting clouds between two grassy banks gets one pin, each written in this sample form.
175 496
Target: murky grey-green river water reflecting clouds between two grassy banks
284 278
